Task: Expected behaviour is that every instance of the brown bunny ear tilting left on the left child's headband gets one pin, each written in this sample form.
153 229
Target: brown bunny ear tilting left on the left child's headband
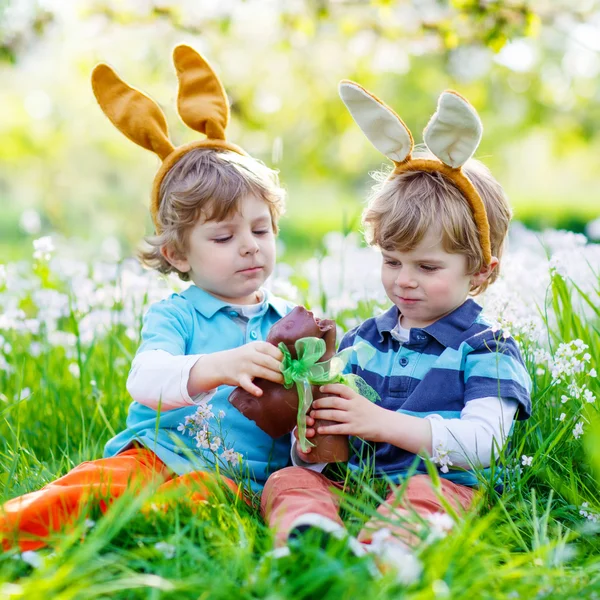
134 114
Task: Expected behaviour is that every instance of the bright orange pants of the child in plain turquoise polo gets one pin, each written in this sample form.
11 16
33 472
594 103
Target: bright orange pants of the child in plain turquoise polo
28 521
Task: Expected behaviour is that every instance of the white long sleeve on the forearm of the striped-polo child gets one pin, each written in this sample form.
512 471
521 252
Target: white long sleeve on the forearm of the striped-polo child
471 440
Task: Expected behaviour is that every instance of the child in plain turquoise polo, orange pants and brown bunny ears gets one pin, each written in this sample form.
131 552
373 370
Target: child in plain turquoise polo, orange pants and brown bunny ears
215 211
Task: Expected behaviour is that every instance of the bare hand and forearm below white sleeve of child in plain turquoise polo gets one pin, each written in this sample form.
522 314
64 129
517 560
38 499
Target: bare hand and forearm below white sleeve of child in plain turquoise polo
237 367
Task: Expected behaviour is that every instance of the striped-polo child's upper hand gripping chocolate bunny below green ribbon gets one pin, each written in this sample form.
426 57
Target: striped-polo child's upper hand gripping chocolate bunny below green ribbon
353 413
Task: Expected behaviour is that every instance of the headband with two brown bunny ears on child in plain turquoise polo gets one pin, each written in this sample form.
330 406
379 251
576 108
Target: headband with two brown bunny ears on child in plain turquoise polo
201 103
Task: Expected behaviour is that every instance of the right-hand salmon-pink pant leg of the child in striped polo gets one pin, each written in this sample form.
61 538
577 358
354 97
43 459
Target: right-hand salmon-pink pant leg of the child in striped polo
421 497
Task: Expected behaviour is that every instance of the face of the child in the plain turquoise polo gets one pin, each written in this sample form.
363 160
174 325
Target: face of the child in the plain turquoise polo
231 259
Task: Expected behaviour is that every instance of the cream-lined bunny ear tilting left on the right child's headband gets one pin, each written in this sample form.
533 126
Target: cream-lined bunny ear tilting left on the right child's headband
382 126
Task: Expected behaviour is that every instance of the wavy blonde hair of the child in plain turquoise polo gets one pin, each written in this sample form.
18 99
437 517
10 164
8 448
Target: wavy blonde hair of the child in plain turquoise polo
207 183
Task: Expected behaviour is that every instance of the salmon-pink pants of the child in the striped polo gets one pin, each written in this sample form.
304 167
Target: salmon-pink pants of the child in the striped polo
295 491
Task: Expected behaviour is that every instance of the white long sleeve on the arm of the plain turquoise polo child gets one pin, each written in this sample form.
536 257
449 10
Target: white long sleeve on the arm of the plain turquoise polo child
158 378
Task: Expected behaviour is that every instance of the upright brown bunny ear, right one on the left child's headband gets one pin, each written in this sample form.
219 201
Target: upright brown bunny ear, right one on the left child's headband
201 102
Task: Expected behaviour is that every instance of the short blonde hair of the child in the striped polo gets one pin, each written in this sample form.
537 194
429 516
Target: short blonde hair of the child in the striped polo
401 209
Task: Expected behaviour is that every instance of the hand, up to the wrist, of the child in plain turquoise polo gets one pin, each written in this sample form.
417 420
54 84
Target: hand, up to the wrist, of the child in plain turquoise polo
257 359
